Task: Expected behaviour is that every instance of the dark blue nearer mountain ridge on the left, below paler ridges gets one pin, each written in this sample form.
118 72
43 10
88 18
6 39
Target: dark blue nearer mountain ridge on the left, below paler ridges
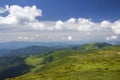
26 51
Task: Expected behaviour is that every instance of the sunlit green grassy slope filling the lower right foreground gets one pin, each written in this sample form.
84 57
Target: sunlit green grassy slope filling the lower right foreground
101 64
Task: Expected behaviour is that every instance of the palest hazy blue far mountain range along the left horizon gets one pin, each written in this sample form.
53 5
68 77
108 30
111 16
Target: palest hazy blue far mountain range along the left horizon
17 44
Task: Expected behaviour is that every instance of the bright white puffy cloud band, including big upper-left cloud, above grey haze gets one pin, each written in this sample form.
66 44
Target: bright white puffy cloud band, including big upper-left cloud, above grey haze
26 17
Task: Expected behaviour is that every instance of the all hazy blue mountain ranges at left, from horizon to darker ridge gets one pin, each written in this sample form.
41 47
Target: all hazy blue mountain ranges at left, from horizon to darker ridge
27 48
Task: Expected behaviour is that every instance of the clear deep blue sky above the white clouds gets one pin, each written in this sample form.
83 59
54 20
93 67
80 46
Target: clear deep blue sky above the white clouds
63 9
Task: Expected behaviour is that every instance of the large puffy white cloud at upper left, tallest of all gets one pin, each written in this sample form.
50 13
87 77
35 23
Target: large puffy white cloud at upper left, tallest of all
19 15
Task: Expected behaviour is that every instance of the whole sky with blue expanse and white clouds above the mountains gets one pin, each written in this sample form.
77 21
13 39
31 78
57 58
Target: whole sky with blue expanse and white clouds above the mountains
60 20
